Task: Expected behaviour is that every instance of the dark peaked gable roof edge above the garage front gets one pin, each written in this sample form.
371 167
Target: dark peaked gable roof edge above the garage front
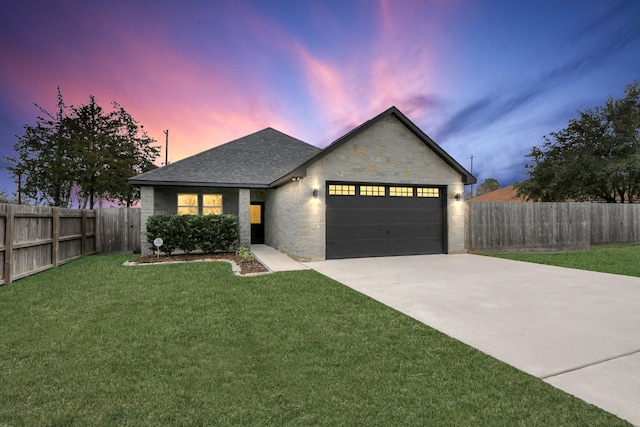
467 177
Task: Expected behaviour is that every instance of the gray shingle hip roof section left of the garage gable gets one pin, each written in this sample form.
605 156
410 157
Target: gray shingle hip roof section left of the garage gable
255 160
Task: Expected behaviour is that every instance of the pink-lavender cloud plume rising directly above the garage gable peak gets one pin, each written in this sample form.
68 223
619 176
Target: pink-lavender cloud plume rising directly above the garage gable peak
397 68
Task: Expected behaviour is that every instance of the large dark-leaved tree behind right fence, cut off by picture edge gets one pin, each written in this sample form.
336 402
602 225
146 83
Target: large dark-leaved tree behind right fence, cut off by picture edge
596 157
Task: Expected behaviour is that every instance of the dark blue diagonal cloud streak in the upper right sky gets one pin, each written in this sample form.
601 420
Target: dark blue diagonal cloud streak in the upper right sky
484 112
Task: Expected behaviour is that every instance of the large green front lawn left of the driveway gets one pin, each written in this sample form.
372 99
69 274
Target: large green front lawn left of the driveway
96 343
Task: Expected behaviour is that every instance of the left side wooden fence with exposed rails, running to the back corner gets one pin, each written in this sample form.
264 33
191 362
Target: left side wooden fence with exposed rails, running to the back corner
38 238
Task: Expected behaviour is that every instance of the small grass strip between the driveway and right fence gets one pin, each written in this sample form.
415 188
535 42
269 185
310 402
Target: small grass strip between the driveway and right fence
616 259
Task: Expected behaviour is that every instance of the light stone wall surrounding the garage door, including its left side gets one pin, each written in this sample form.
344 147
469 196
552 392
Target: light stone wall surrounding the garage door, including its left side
386 153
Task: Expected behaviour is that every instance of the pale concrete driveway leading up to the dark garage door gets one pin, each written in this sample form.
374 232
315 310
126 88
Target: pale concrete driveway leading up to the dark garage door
576 330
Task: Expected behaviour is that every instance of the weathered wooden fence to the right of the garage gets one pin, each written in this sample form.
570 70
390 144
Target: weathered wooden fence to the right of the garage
549 226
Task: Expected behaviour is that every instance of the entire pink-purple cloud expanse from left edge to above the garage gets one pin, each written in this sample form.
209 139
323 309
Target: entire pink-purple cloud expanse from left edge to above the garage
223 92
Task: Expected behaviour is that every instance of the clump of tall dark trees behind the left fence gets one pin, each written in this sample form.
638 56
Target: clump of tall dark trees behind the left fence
84 148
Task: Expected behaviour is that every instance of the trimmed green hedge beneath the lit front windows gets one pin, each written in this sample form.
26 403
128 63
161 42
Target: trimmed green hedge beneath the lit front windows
209 233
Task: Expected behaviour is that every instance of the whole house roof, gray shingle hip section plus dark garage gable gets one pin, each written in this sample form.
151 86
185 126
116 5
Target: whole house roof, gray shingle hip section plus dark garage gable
269 158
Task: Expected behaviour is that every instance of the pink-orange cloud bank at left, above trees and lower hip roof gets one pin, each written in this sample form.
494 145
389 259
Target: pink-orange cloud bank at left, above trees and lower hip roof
202 104
